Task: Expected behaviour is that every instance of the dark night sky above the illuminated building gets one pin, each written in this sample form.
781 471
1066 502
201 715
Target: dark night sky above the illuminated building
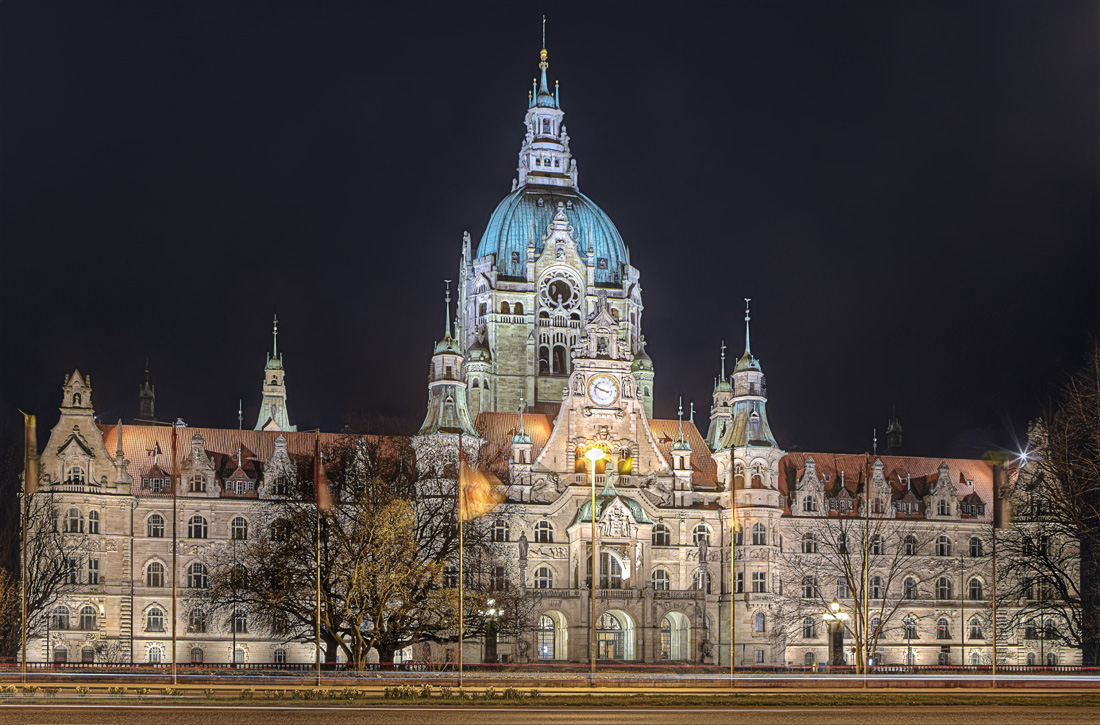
909 193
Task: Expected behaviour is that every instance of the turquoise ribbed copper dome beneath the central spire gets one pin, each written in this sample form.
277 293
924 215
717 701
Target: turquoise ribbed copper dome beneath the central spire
521 216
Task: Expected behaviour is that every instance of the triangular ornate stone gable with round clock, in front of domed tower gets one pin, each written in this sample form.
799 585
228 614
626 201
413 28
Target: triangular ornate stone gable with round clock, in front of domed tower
602 405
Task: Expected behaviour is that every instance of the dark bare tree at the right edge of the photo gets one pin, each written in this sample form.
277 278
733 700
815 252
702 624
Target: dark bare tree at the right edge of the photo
1050 566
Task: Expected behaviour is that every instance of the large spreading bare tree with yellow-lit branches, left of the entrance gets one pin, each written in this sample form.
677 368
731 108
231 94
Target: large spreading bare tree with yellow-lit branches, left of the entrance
386 547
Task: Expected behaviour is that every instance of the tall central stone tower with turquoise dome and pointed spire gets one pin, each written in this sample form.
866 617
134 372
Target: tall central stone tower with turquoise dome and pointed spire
529 285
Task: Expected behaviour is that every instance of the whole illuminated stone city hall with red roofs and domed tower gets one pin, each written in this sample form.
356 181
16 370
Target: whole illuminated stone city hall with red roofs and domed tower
547 362
